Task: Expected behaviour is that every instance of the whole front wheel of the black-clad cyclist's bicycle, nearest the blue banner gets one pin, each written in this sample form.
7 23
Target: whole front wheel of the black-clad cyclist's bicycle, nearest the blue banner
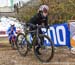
46 49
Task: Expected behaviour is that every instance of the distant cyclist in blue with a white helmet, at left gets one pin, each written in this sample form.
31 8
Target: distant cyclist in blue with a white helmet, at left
11 31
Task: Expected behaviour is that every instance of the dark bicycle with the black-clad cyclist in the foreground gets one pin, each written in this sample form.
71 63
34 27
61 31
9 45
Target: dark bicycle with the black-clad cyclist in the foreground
23 45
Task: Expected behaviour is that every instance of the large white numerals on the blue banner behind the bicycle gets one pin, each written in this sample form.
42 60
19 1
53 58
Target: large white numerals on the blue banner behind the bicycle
56 34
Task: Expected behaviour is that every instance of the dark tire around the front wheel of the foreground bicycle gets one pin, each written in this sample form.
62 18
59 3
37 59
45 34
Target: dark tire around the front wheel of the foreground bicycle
52 51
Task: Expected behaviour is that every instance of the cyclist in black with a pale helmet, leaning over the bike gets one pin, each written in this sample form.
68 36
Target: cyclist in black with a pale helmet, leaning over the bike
40 18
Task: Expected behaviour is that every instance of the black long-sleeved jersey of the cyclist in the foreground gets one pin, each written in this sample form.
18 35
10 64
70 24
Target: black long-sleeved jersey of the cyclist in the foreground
39 19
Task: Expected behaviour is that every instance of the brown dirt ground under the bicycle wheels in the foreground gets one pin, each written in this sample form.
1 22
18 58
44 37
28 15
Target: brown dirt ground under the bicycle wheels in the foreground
12 57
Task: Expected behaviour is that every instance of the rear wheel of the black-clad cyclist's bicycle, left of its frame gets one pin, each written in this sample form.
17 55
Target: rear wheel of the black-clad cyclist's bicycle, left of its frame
22 44
